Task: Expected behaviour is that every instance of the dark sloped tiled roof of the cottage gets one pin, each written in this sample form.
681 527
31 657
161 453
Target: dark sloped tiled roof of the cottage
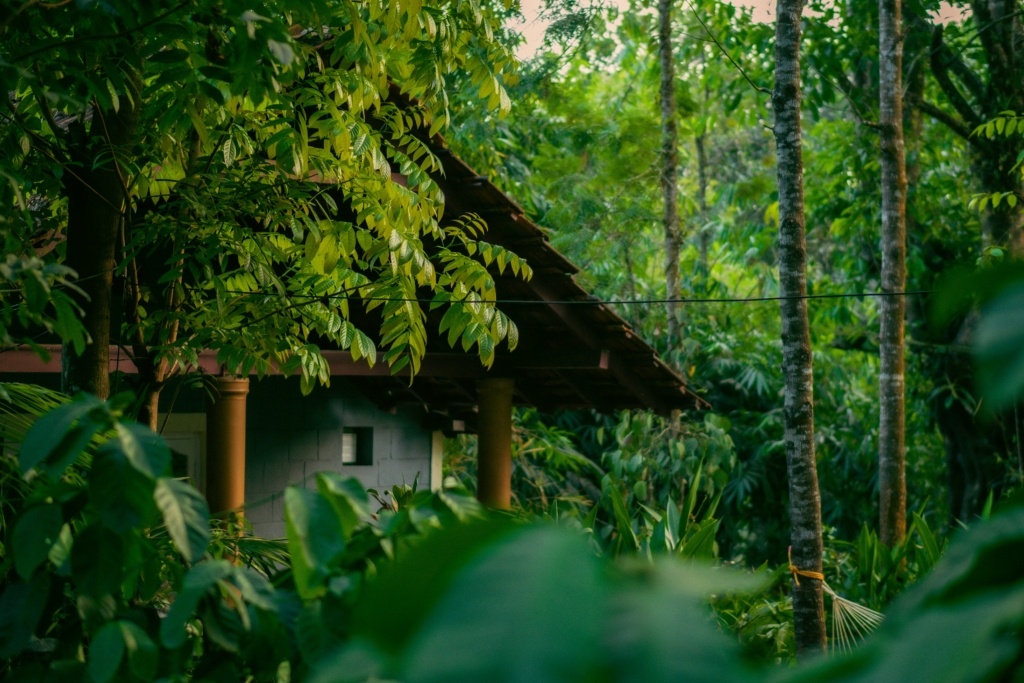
575 353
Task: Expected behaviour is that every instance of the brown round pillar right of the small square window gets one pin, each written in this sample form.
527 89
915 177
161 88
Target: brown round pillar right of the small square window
494 429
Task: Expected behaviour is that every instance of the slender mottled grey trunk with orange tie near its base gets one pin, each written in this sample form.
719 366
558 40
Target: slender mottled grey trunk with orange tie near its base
805 501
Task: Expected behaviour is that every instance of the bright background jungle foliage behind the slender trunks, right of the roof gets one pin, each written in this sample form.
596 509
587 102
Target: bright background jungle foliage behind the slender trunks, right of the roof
579 151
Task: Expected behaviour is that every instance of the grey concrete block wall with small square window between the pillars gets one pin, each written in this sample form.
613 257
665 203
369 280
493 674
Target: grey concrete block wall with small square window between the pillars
290 438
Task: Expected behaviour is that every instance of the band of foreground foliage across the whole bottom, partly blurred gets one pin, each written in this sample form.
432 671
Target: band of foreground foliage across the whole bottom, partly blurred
385 595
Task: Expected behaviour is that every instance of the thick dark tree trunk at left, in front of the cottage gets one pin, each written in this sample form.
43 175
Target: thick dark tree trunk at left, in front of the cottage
96 208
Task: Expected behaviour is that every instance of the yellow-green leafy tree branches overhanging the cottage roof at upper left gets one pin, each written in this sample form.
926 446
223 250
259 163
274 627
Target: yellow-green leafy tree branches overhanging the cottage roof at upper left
257 178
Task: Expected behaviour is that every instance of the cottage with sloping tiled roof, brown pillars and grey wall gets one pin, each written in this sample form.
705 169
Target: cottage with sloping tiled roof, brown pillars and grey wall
260 437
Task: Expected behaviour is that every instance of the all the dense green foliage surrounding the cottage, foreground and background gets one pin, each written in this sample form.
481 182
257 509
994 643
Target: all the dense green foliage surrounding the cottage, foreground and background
226 172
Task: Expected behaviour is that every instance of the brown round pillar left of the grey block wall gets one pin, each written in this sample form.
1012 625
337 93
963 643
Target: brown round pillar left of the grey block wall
226 446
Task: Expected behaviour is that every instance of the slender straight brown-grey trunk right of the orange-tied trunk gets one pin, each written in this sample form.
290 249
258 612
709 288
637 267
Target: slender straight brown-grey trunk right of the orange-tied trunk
892 467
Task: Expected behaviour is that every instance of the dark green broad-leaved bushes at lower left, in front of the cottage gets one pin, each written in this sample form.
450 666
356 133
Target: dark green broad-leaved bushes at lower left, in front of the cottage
112 571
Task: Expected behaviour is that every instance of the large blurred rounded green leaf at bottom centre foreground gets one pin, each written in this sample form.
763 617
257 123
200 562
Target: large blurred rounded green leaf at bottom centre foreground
528 609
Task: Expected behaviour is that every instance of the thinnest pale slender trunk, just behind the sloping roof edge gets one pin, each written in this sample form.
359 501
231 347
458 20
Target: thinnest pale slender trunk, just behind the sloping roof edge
670 164
